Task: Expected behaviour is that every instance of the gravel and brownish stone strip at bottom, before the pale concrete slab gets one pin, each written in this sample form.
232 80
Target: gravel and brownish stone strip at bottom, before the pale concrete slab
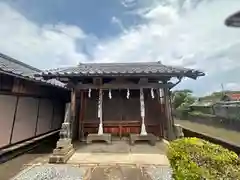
68 172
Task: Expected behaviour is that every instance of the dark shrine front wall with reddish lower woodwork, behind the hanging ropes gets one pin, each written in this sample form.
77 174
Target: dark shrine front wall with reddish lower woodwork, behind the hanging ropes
121 116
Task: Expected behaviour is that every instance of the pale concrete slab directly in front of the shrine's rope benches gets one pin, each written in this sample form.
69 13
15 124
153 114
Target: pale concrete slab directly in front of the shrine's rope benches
120 152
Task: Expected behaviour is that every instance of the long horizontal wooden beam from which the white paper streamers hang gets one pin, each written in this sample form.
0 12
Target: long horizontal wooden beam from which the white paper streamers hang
124 86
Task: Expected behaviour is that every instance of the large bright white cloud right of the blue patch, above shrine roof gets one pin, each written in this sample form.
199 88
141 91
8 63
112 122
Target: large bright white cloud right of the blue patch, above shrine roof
195 37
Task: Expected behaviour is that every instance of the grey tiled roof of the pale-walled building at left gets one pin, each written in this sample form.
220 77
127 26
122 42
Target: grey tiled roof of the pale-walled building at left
14 67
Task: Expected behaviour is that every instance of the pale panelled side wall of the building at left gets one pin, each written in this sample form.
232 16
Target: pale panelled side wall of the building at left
23 118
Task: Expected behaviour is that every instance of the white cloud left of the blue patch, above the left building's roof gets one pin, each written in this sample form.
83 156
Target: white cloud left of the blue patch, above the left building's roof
45 46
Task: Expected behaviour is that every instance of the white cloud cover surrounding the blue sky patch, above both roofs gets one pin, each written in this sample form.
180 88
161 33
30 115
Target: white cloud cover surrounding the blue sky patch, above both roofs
184 32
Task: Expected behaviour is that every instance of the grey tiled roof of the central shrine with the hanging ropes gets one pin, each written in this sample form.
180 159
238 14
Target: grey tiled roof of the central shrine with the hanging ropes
115 69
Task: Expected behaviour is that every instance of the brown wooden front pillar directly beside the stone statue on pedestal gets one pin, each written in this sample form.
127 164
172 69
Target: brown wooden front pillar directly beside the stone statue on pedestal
73 112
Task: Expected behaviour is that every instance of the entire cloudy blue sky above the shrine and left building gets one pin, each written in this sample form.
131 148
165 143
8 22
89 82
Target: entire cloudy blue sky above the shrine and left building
190 33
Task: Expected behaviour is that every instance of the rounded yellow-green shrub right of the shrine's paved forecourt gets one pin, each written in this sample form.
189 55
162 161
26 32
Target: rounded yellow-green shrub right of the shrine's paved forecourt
196 159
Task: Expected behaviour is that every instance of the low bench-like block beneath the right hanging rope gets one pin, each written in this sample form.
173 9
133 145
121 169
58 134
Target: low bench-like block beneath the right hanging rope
138 137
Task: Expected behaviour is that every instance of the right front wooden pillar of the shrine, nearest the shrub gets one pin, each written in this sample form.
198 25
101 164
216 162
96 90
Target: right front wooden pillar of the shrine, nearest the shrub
169 119
